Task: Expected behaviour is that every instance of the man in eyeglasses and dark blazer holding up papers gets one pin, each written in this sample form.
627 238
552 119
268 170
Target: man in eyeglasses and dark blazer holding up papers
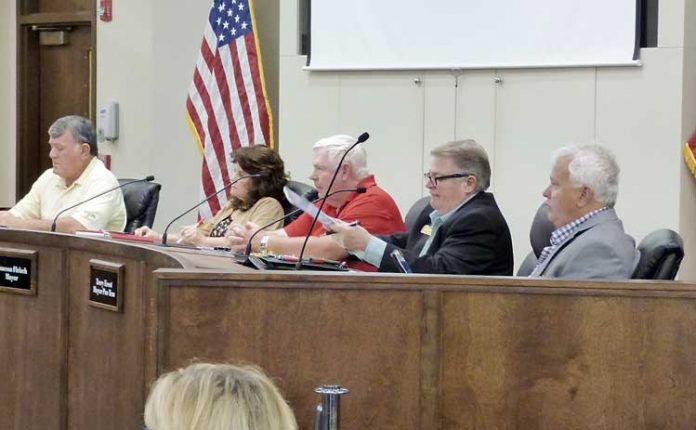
461 231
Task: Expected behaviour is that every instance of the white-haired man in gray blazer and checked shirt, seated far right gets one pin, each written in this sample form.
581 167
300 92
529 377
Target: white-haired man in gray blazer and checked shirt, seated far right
589 241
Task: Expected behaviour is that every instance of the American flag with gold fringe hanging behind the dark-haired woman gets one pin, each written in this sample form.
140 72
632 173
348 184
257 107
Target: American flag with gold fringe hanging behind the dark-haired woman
227 106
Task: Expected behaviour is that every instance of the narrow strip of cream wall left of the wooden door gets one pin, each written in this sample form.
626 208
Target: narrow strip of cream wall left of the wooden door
8 102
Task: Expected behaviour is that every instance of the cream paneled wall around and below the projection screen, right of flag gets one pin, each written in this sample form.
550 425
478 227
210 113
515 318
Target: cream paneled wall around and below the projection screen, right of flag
641 113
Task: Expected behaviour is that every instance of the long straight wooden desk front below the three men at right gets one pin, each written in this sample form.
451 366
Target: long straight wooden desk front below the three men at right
439 352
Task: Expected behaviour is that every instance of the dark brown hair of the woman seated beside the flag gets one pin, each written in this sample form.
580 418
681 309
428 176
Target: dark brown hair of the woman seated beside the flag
260 159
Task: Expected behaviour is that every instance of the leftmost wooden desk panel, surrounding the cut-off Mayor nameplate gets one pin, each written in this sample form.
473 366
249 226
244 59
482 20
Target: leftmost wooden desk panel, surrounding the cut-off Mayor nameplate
32 348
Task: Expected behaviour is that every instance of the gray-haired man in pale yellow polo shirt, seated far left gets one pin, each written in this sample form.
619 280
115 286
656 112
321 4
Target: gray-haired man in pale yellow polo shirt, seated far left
77 175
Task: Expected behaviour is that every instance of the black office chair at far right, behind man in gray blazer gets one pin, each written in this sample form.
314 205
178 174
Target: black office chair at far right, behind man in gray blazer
661 253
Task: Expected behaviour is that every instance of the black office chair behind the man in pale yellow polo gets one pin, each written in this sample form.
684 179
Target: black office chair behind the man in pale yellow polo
141 199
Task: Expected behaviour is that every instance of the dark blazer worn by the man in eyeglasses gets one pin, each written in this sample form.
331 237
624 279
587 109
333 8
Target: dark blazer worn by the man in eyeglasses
475 240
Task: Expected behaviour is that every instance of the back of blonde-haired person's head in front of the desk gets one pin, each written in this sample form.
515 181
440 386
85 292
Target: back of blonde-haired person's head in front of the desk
206 396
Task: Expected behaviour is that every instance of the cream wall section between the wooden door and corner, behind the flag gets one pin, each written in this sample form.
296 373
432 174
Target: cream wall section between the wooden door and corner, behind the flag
146 60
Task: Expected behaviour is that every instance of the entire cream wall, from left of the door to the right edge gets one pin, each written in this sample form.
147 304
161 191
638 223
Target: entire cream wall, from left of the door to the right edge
147 53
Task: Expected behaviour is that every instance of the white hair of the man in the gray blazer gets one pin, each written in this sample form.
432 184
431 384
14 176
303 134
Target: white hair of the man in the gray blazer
595 167
